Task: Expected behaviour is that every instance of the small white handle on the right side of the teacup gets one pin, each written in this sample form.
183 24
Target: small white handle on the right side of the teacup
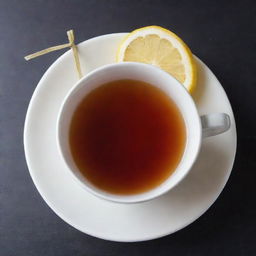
214 124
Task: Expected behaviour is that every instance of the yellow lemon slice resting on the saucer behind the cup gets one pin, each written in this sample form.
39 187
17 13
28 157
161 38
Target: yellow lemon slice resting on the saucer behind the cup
160 47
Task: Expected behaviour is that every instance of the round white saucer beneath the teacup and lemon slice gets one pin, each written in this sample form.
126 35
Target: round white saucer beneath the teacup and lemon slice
112 221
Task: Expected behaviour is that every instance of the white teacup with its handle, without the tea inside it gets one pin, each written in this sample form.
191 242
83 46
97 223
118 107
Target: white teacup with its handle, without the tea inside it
196 127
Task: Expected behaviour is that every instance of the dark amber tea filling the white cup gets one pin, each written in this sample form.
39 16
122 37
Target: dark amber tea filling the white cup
127 137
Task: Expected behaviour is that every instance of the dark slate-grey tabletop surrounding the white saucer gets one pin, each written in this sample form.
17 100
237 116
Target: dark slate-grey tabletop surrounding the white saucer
221 33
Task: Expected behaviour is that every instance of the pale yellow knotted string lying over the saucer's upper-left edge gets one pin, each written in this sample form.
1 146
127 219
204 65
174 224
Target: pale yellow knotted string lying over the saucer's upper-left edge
71 44
